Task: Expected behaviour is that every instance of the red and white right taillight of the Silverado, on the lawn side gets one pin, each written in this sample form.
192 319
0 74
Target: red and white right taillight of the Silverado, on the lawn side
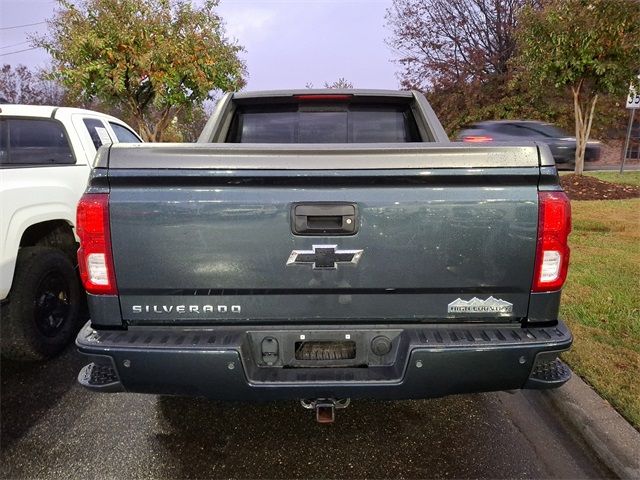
552 253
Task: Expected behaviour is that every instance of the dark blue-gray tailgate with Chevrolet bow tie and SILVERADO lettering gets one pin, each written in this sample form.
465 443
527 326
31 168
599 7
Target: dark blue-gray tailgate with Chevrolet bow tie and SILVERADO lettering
210 243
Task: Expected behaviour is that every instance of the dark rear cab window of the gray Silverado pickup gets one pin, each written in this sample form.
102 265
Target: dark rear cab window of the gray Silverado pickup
323 122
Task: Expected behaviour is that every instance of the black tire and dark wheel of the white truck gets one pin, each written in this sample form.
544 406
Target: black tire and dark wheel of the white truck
36 322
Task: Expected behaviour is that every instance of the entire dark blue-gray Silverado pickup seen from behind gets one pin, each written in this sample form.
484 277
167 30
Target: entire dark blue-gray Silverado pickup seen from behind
323 245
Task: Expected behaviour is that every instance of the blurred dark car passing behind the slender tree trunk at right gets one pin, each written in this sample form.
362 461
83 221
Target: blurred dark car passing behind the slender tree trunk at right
562 145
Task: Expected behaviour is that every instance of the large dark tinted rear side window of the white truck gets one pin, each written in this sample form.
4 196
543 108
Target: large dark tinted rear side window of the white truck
34 142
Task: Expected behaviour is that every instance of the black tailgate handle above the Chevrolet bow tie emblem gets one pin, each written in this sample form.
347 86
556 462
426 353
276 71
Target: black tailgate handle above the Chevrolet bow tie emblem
324 218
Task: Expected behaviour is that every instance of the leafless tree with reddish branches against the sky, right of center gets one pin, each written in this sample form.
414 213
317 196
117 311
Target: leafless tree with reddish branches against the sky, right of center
441 43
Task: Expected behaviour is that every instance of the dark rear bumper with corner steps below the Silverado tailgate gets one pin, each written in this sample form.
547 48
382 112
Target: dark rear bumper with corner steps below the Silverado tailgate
426 361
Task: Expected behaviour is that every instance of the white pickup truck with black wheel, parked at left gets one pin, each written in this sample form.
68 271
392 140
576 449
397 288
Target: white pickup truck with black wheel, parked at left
46 155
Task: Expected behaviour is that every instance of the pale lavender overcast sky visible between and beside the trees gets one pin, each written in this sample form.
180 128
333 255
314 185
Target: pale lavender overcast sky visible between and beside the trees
288 42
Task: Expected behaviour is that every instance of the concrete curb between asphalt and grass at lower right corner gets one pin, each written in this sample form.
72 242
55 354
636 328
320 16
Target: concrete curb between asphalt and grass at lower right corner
611 437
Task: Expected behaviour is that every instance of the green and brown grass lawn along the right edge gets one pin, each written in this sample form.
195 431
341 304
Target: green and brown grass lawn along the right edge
601 300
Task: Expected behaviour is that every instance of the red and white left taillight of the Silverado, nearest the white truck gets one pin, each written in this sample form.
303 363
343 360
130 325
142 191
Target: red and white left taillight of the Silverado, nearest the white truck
94 256
